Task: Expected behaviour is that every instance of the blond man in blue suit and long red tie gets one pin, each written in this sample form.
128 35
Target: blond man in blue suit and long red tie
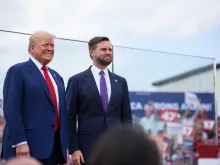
35 106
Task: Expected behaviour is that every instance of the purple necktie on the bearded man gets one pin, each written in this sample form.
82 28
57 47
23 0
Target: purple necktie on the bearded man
103 90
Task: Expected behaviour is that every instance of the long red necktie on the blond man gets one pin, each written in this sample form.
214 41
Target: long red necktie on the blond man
53 95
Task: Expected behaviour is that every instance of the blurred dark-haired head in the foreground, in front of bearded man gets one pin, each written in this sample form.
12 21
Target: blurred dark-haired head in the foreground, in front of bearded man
125 146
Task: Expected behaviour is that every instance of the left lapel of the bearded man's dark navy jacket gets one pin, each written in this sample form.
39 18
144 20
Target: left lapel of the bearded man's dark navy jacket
93 87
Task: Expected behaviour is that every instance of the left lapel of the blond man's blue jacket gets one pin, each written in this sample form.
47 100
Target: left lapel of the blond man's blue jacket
33 68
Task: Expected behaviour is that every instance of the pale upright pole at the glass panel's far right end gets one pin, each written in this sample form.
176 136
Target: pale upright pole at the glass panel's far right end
215 103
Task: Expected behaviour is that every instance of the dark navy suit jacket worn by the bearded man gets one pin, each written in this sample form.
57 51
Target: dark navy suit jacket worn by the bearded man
84 103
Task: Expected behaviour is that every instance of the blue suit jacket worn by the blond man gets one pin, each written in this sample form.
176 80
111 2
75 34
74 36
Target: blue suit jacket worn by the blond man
30 113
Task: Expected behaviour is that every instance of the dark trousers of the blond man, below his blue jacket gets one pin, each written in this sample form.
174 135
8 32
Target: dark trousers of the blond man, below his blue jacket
56 156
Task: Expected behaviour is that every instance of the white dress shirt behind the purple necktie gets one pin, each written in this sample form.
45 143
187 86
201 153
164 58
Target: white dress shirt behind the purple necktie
97 77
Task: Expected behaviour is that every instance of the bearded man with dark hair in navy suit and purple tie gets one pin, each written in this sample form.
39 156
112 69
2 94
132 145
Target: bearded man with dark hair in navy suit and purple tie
98 98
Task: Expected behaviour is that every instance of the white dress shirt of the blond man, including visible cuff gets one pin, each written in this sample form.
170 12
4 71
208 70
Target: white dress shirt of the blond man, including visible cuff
39 66
